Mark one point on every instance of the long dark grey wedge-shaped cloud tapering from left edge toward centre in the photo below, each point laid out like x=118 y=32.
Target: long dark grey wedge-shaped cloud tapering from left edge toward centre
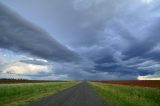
x=19 y=35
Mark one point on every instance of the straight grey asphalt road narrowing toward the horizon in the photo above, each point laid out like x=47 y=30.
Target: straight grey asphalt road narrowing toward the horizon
x=79 y=95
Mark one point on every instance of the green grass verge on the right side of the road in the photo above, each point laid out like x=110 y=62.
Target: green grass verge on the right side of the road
x=120 y=95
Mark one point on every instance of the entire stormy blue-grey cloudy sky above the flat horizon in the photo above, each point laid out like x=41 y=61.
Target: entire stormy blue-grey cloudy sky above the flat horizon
x=80 y=39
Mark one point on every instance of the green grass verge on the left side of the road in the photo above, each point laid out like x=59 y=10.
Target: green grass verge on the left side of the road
x=21 y=94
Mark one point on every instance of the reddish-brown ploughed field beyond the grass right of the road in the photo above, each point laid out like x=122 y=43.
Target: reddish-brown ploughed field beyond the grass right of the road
x=141 y=83
